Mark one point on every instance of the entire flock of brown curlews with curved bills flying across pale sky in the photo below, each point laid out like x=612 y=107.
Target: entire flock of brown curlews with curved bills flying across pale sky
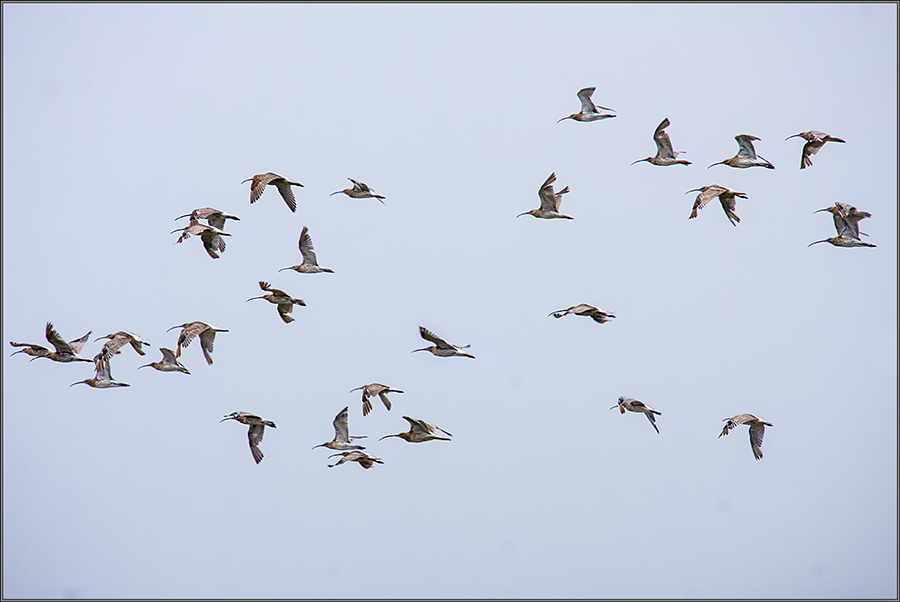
x=846 y=222
